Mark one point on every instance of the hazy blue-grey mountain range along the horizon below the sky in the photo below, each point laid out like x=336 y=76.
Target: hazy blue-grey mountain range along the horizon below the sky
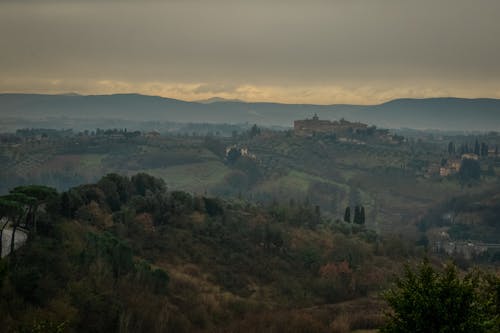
x=431 y=113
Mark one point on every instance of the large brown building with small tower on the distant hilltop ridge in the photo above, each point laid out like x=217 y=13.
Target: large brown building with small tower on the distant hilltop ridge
x=312 y=126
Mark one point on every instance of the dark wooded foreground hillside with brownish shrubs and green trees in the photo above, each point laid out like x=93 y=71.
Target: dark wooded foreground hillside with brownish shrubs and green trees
x=126 y=255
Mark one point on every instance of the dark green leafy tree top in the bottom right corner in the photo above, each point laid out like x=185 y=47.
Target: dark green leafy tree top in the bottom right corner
x=426 y=300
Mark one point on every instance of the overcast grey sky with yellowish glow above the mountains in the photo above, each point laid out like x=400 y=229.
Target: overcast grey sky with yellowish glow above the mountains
x=289 y=51
